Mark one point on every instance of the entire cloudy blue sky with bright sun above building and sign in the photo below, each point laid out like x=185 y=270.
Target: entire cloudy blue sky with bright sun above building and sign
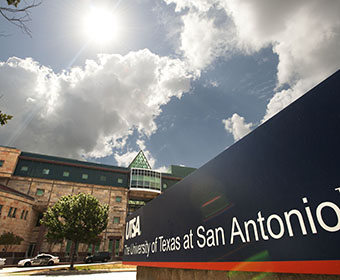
x=180 y=79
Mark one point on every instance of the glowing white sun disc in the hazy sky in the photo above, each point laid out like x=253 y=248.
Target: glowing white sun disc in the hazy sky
x=100 y=25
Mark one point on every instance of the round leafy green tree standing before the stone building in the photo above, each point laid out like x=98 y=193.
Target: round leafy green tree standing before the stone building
x=79 y=218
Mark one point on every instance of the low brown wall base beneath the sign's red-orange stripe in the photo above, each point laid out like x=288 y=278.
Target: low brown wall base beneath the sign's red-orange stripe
x=153 y=273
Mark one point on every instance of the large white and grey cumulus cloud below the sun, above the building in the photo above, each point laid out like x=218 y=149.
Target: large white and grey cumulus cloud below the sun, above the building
x=87 y=111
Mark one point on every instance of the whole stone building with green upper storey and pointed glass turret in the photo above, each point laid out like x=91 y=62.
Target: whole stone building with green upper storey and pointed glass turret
x=30 y=183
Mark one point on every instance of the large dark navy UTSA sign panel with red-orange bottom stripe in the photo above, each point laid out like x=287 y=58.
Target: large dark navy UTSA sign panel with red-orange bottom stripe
x=270 y=202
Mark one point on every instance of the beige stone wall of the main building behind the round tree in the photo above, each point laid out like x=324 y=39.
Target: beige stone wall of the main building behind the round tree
x=53 y=190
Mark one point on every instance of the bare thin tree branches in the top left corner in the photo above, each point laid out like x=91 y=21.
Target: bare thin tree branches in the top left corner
x=18 y=15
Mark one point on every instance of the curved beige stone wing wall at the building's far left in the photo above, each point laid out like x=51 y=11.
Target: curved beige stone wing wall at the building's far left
x=17 y=225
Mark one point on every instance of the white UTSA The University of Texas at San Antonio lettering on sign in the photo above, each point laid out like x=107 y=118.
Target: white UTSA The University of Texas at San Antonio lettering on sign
x=264 y=226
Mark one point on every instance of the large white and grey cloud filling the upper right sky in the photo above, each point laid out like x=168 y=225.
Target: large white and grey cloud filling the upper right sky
x=304 y=34
